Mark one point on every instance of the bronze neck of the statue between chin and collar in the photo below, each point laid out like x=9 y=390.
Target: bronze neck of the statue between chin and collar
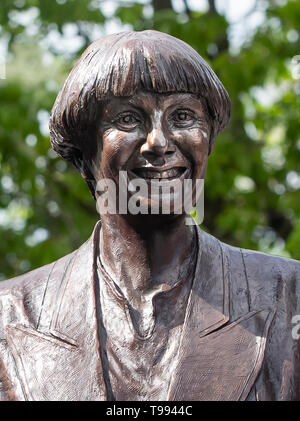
x=141 y=253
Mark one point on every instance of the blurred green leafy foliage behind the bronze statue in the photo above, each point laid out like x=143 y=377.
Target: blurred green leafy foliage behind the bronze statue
x=253 y=180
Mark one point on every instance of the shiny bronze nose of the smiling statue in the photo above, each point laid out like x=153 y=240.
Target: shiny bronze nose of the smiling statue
x=156 y=147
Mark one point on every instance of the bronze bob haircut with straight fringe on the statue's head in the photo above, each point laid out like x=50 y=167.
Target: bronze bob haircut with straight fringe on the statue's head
x=121 y=65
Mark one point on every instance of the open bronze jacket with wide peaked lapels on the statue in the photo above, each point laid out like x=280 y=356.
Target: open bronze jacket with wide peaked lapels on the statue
x=236 y=343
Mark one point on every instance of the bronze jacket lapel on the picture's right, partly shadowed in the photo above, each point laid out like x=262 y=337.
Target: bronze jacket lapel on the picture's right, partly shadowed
x=217 y=360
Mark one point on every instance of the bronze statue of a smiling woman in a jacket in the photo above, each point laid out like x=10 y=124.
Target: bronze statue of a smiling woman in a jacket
x=149 y=308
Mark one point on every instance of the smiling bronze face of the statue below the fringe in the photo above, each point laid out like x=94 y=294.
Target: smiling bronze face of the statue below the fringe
x=154 y=137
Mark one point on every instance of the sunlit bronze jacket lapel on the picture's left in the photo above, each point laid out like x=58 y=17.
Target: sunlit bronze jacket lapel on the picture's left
x=60 y=359
